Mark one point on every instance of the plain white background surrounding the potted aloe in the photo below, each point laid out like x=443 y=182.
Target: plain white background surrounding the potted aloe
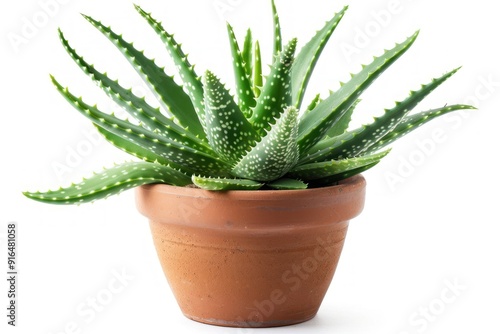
x=435 y=222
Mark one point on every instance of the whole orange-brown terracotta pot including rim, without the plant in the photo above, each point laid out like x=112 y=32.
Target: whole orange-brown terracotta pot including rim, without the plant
x=250 y=258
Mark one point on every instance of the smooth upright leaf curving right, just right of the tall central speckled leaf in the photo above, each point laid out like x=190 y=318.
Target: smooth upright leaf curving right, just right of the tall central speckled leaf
x=308 y=57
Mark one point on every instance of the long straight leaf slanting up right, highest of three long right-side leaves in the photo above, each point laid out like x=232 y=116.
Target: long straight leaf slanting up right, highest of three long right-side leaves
x=314 y=126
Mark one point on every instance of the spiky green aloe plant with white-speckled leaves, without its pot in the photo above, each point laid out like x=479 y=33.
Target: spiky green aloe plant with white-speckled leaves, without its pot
x=262 y=138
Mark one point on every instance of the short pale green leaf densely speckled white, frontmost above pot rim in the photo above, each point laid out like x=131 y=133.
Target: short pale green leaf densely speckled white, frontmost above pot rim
x=275 y=154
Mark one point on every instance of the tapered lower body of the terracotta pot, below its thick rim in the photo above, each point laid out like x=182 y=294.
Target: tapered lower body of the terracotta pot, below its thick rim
x=242 y=279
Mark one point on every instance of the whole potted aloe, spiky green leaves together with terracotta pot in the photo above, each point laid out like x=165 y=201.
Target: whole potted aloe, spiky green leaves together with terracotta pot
x=248 y=197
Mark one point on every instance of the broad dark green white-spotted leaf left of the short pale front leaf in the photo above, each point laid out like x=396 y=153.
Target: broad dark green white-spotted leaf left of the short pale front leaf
x=229 y=132
